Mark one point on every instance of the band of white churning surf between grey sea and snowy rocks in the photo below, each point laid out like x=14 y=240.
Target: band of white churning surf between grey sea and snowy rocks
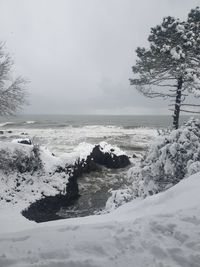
x=63 y=140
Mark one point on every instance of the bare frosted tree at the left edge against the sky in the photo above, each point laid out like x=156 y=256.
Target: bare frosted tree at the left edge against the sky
x=12 y=92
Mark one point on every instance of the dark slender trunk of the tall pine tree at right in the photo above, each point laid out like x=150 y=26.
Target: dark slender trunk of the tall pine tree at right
x=177 y=103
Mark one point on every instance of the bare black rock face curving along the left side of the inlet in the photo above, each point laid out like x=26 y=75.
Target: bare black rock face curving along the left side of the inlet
x=46 y=208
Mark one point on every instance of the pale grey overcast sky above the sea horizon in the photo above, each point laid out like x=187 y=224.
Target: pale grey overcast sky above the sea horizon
x=78 y=53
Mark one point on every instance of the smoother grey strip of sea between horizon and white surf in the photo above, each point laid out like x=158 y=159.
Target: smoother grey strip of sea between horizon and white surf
x=59 y=121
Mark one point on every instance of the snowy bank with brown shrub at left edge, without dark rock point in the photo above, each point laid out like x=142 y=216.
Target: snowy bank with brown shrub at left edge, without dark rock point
x=28 y=172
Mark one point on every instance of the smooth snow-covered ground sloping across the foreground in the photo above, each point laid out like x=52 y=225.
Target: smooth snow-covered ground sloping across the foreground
x=162 y=230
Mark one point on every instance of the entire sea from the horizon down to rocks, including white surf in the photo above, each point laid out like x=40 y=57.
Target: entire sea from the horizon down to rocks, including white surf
x=62 y=133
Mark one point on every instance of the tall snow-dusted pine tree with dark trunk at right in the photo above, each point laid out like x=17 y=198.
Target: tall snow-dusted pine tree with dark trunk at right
x=170 y=67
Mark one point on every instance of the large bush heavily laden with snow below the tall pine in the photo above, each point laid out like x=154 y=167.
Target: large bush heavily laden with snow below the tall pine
x=169 y=159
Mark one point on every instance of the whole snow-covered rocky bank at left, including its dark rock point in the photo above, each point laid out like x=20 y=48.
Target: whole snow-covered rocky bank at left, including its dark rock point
x=29 y=172
